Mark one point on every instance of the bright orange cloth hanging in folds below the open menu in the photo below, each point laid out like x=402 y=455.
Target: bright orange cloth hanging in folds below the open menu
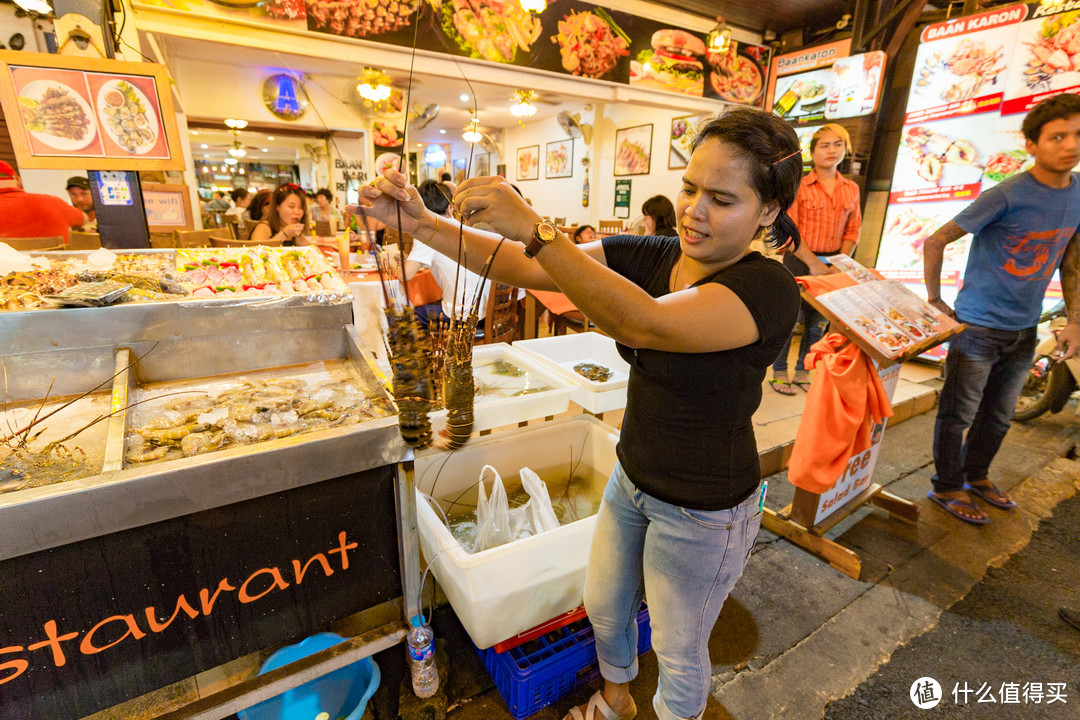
x=846 y=400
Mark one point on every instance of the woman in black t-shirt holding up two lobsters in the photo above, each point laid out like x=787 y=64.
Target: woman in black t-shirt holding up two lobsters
x=699 y=318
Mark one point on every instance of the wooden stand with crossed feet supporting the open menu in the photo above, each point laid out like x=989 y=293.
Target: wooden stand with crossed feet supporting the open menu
x=811 y=515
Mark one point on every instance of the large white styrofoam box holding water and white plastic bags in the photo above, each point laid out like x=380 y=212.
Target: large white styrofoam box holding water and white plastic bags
x=505 y=591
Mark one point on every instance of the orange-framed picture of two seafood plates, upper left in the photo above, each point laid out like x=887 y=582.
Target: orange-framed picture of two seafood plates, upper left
x=89 y=114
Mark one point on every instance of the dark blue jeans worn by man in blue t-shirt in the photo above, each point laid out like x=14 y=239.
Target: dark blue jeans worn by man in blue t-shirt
x=984 y=374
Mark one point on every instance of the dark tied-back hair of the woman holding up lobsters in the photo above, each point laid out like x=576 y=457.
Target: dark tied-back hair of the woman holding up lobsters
x=774 y=156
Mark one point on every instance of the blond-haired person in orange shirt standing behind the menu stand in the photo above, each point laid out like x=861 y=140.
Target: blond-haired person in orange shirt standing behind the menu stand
x=827 y=212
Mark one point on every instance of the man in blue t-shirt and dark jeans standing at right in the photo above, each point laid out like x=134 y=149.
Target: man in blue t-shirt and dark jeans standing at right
x=1024 y=230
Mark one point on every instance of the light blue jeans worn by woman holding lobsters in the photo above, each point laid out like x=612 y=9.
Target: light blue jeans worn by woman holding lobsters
x=686 y=562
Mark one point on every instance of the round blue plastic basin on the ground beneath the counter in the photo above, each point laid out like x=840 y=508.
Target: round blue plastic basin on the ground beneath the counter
x=342 y=695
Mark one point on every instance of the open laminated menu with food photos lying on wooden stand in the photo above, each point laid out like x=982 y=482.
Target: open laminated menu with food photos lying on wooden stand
x=883 y=313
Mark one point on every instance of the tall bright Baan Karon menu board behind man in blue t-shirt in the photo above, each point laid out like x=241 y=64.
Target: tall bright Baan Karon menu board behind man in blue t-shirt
x=976 y=78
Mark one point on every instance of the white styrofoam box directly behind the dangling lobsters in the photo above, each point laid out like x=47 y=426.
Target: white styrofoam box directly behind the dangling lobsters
x=497 y=412
